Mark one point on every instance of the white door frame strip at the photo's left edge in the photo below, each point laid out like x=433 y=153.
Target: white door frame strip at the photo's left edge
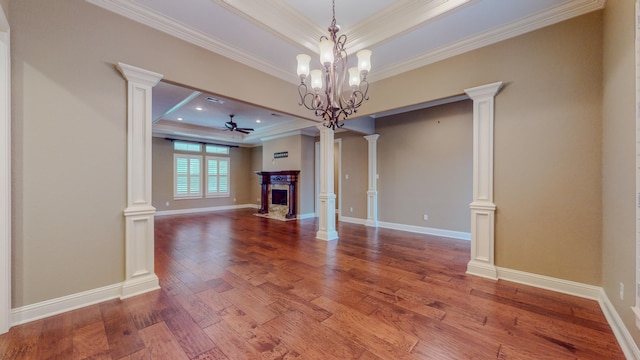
x=5 y=174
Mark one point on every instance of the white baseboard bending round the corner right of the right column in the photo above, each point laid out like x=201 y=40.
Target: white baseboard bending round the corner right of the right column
x=622 y=334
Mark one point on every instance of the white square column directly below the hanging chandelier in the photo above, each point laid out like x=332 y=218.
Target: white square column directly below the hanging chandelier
x=326 y=197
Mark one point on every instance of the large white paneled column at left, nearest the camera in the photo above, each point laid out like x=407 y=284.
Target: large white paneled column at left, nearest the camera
x=139 y=269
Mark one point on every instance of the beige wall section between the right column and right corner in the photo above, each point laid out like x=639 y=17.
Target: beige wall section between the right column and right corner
x=548 y=152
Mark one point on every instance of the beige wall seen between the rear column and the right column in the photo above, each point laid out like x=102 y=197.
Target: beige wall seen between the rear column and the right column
x=435 y=146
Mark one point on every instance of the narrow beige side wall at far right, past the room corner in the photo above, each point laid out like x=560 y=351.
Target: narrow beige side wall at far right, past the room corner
x=619 y=146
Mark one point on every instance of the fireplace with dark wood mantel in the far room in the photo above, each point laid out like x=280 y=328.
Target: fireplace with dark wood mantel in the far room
x=278 y=196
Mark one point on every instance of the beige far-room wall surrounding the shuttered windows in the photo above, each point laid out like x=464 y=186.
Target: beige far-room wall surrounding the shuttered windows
x=241 y=179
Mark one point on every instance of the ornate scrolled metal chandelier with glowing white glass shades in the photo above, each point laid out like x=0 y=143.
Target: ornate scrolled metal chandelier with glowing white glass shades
x=329 y=98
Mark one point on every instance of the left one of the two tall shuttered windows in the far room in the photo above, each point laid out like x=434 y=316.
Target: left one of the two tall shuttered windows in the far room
x=187 y=176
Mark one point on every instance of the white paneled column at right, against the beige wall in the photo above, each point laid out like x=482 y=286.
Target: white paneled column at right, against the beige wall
x=482 y=208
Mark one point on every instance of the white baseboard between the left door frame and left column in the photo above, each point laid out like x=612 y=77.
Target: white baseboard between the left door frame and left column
x=25 y=314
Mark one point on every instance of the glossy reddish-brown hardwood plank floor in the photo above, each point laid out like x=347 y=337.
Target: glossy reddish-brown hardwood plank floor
x=237 y=286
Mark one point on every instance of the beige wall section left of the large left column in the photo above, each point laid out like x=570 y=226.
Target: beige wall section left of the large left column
x=68 y=155
